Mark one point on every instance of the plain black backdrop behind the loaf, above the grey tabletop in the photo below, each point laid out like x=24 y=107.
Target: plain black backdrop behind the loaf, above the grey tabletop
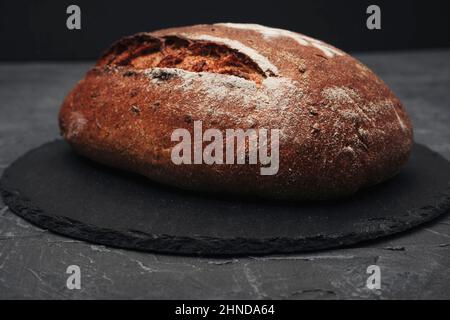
x=36 y=30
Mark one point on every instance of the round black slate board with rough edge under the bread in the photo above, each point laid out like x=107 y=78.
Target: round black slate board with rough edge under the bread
x=57 y=190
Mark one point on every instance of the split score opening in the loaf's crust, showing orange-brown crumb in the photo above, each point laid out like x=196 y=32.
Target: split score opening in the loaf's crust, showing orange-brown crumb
x=195 y=53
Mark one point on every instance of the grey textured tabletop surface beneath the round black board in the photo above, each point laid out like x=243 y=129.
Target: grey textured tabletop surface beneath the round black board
x=33 y=262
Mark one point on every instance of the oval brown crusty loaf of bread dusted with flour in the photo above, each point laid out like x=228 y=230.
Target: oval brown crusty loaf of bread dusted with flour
x=340 y=128
